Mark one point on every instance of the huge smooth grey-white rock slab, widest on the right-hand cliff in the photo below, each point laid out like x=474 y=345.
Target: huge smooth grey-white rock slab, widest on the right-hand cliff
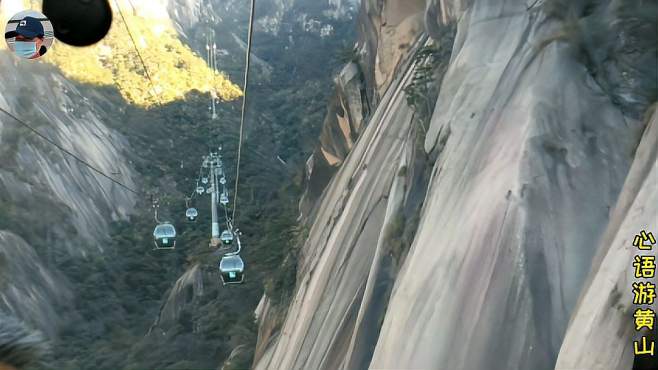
x=512 y=217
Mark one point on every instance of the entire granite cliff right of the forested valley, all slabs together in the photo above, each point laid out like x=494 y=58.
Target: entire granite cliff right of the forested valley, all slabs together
x=528 y=153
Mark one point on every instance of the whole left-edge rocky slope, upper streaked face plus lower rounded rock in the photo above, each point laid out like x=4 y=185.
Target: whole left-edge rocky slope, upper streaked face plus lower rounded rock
x=51 y=206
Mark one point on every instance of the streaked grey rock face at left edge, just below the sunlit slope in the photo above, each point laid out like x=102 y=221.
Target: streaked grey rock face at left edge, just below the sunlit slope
x=32 y=167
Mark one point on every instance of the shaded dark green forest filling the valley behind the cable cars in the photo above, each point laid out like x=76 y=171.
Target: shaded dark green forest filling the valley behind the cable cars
x=119 y=293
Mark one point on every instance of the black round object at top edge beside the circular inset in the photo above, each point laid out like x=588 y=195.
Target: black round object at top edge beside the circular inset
x=79 y=22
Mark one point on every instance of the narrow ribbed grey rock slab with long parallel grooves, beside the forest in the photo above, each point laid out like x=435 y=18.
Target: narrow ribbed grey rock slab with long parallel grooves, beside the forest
x=345 y=244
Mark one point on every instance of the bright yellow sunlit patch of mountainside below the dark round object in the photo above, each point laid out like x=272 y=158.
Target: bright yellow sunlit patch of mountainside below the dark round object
x=172 y=66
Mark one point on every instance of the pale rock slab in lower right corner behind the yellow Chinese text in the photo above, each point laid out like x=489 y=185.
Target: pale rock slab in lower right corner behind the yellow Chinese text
x=601 y=332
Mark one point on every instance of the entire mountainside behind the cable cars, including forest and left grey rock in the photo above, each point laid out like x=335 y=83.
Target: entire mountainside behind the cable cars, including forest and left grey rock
x=105 y=298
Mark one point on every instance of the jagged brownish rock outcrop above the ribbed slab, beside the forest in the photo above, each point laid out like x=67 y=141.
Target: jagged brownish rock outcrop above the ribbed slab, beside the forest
x=387 y=33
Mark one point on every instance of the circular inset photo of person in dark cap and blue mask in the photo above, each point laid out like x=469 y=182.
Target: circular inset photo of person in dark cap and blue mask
x=29 y=34
